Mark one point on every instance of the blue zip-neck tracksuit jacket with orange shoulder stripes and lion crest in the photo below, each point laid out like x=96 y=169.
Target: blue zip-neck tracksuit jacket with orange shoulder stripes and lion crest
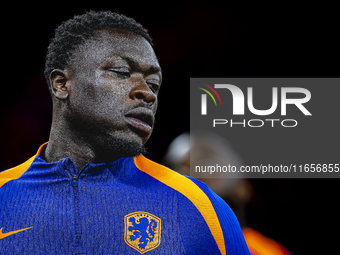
x=129 y=206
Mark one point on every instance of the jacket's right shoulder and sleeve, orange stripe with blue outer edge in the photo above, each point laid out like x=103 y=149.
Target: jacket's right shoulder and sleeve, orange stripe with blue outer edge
x=218 y=216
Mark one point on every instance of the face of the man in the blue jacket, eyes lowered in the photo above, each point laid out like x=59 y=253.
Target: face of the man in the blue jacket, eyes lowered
x=113 y=87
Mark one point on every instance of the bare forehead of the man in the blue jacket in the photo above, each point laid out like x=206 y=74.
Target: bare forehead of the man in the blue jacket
x=109 y=44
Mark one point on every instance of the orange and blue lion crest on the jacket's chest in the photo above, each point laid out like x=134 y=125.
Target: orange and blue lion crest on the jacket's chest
x=142 y=231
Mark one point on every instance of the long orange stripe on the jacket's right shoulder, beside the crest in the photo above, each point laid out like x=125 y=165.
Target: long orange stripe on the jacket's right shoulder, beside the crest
x=190 y=190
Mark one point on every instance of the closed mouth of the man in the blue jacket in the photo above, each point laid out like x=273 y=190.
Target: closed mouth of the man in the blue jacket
x=140 y=120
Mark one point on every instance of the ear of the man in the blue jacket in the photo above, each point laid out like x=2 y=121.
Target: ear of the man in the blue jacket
x=58 y=81
